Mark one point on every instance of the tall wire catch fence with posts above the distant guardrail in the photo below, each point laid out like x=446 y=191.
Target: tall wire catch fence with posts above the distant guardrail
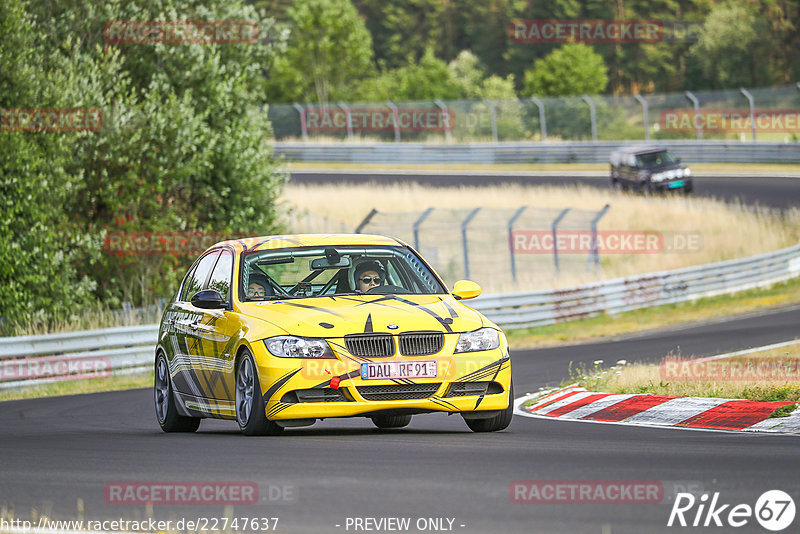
x=757 y=114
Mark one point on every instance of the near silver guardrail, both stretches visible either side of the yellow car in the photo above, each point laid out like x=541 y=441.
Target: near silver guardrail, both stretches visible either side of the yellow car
x=31 y=360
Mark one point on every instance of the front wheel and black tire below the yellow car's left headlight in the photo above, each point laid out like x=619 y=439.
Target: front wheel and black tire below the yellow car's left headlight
x=250 y=410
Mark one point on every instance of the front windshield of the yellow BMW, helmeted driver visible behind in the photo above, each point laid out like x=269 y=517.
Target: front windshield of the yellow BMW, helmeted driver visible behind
x=335 y=270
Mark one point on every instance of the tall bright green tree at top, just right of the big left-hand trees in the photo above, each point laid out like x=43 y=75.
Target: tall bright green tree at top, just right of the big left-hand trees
x=329 y=52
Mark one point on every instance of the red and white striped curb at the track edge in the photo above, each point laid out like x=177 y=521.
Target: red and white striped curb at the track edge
x=575 y=403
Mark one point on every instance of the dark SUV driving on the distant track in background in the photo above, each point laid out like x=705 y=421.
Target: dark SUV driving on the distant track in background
x=649 y=169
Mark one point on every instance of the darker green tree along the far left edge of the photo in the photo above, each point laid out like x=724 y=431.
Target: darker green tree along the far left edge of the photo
x=40 y=247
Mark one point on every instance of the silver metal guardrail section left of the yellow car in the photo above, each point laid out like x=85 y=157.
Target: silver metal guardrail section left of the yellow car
x=34 y=360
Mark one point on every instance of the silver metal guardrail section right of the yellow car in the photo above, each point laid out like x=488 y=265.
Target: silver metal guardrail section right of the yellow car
x=539 y=308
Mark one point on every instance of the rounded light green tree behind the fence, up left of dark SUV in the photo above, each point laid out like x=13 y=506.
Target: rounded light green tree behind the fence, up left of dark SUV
x=573 y=69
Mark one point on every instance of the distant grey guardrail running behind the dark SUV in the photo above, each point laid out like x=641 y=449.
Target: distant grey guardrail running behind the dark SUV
x=531 y=152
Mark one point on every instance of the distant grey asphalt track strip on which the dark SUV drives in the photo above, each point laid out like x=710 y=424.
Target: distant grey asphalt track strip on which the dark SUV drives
x=775 y=192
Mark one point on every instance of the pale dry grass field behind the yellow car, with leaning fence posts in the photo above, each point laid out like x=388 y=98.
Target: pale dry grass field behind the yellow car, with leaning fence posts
x=720 y=231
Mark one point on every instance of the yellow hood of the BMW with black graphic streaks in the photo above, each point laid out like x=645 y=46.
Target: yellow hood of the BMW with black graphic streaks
x=341 y=315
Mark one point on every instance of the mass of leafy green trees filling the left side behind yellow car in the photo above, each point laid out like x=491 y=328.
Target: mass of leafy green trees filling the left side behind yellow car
x=183 y=146
